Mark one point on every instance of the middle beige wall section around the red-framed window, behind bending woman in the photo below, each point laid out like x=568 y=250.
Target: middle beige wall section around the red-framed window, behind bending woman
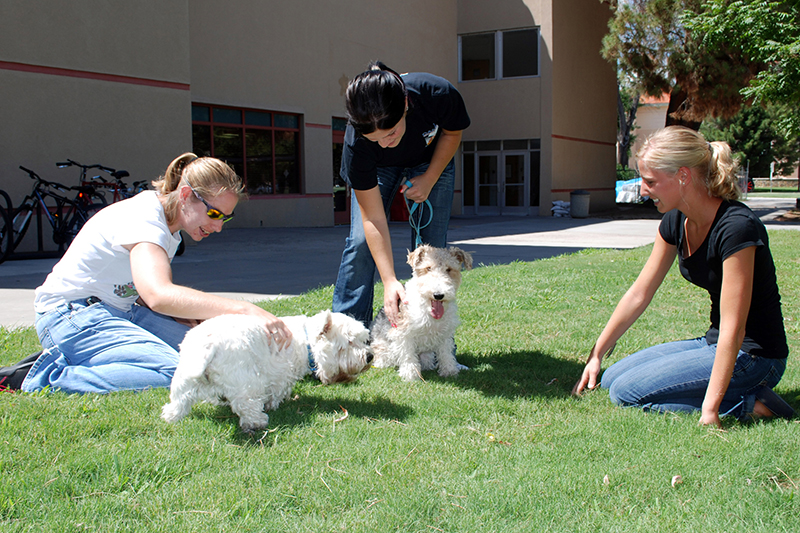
x=298 y=57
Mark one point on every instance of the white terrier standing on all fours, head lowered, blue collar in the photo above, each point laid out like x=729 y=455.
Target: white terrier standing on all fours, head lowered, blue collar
x=231 y=358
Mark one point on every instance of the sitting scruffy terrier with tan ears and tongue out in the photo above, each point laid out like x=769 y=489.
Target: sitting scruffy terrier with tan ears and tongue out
x=424 y=336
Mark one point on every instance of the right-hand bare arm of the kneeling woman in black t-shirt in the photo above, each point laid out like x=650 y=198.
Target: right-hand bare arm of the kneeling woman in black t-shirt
x=734 y=305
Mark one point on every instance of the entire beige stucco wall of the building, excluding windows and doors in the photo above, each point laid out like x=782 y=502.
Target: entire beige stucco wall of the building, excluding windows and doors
x=282 y=56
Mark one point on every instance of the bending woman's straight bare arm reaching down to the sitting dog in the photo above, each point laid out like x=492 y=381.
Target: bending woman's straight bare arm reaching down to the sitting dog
x=376 y=231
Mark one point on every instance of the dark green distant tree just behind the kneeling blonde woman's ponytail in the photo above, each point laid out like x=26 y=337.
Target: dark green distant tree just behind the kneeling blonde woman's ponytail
x=755 y=133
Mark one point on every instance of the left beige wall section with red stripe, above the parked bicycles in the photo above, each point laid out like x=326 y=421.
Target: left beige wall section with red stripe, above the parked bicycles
x=52 y=111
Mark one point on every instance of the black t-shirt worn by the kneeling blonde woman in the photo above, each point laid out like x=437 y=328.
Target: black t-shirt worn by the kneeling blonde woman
x=734 y=228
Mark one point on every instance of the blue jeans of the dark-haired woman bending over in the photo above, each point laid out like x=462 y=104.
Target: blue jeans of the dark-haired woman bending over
x=353 y=294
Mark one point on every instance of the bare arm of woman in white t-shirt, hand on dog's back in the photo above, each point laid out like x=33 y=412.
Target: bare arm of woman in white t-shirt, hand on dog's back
x=152 y=276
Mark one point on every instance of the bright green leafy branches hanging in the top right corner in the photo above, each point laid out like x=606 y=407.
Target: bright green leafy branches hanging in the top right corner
x=763 y=32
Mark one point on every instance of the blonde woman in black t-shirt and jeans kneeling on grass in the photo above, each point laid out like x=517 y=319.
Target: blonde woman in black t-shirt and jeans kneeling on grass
x=722 y=247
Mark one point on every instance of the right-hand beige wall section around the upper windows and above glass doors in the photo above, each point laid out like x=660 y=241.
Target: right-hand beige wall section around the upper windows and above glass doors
x=570 y=106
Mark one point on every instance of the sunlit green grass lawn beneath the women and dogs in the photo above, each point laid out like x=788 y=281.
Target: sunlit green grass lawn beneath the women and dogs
x=503 y=447
